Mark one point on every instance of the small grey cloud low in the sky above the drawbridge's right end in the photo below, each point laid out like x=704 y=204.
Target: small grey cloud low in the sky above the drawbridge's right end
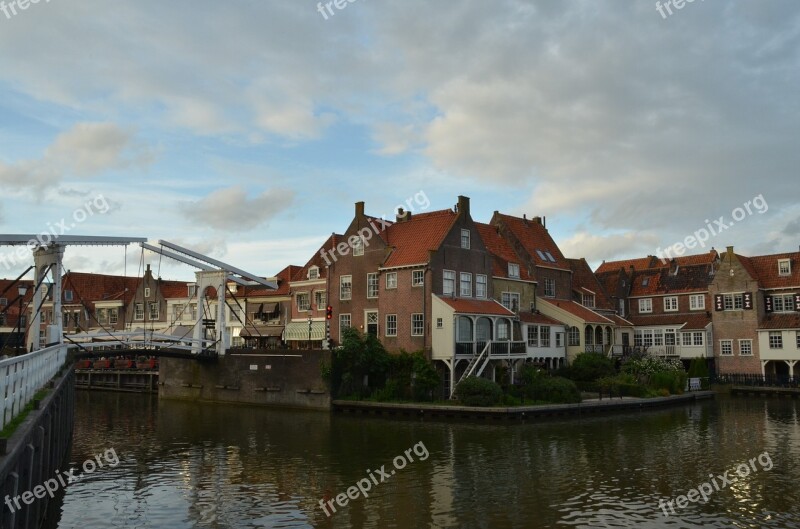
x=232 y=210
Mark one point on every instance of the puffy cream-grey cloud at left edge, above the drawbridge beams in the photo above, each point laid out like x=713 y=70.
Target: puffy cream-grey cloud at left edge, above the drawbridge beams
x=85 y=150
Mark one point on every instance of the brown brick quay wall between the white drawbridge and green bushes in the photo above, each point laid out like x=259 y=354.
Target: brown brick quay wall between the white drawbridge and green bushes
x=290 y=378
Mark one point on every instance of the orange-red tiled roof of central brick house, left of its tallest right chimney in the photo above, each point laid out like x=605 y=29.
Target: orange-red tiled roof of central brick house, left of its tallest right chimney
x=412 y=240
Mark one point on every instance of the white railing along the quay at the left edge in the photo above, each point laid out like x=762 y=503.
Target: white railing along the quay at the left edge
x=22 y=376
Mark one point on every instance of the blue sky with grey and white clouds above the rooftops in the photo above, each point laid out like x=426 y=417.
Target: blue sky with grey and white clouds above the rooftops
x=247 y=130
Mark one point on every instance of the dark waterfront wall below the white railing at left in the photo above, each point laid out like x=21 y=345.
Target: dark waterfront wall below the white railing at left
x=35 y=451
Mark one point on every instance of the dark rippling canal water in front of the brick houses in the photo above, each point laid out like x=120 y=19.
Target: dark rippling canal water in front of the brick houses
x=183 y=465
